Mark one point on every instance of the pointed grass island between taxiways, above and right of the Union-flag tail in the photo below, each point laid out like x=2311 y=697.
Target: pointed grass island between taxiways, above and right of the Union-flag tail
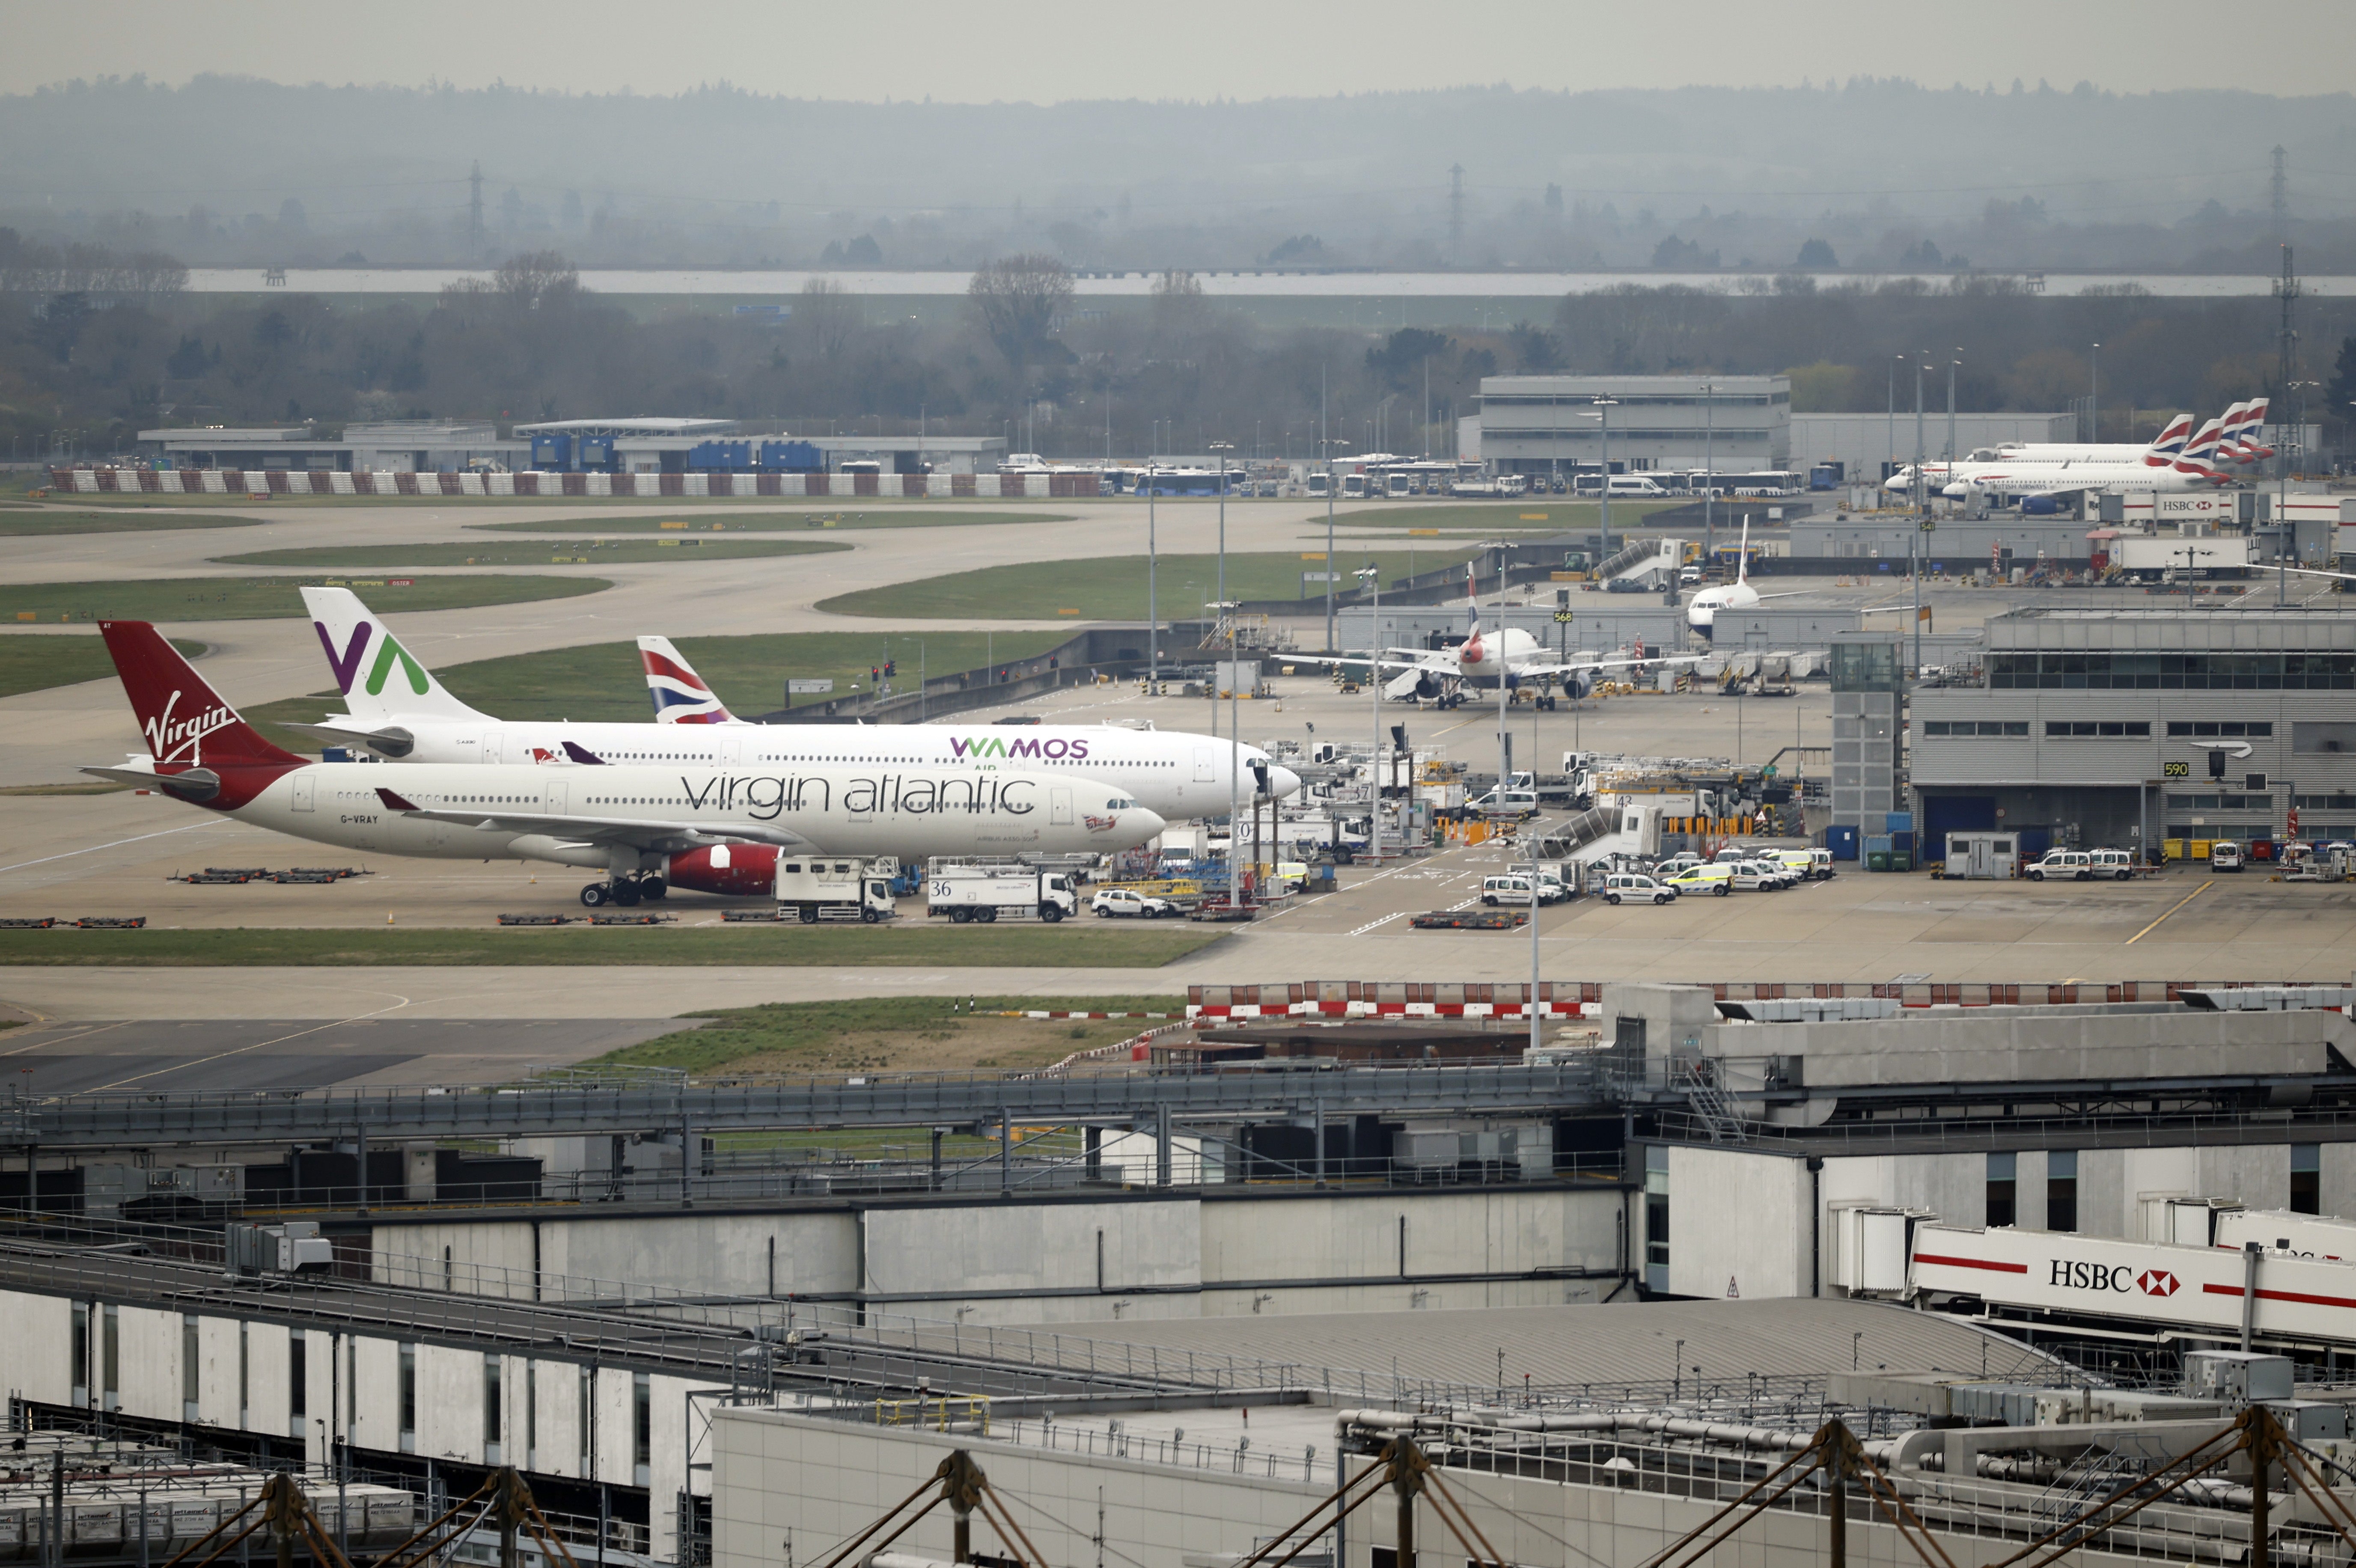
x=1113 y=587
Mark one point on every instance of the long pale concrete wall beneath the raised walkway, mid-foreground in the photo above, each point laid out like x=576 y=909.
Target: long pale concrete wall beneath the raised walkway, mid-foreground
x=1038 y=1261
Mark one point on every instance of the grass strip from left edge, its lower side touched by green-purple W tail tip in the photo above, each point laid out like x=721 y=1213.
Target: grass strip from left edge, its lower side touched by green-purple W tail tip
x=263 y=599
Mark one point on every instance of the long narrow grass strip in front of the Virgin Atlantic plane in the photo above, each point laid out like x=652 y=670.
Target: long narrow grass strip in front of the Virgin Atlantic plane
x=1097 y=945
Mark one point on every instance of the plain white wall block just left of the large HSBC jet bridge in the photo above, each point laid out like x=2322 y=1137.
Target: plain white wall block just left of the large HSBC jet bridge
x=1738 y=1223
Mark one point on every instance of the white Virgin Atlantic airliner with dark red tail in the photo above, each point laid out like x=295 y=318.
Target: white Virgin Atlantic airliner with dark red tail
x=633 y=820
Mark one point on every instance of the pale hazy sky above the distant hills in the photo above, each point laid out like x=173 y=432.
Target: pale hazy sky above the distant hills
x=1052 y=51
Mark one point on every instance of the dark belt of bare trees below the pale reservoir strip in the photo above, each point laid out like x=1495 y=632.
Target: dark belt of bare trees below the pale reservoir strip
x=1170 y=373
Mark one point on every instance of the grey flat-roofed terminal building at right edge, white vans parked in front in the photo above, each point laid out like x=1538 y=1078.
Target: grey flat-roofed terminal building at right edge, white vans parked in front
x=2124 y=726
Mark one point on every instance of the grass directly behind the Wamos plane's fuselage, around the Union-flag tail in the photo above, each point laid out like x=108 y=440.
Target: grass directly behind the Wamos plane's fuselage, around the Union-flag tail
x=607 y=684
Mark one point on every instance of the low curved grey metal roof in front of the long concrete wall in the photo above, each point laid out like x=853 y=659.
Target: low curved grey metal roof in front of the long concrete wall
x=1599 y=1346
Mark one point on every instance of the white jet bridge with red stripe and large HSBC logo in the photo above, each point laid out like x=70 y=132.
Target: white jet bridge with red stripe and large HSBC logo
x=2145 y=1282
